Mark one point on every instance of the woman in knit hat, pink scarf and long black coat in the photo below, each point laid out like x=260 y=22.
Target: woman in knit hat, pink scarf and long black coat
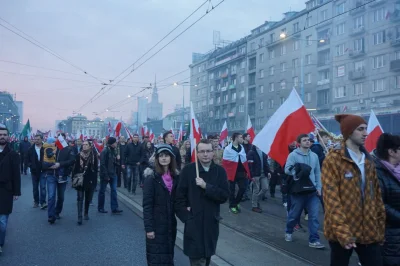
x=158 y=211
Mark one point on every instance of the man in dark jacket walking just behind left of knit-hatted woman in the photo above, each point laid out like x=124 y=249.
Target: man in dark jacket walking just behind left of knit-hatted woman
x=133 y=158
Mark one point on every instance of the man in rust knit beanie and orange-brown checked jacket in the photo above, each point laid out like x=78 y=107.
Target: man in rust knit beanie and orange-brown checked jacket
x=354 y=210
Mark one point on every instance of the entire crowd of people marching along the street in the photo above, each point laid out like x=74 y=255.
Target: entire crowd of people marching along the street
x=358 y=191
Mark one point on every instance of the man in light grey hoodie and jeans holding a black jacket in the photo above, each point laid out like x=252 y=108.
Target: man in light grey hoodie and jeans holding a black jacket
x=303 y=165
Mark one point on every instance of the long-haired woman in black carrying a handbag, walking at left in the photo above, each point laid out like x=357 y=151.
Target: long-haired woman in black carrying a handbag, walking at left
x=87 y=163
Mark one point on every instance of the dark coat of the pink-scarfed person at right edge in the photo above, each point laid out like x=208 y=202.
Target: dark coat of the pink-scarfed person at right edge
x=390 y=189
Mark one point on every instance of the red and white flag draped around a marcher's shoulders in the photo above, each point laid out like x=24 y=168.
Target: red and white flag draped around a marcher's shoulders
x=230 y=161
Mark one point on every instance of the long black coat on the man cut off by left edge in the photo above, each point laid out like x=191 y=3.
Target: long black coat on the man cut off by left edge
x=10 y=179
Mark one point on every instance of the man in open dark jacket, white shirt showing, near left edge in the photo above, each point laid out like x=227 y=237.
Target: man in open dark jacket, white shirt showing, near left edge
x=35 y=159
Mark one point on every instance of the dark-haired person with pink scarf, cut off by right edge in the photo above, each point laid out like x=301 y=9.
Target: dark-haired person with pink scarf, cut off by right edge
x=387 y=161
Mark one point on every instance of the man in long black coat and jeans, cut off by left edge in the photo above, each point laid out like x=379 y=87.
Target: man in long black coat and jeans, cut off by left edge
x=10 y=182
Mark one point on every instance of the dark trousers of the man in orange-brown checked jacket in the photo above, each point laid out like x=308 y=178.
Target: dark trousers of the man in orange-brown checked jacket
x=369 y=255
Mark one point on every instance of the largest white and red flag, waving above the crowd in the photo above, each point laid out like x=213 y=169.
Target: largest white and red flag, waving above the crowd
x=289 y=121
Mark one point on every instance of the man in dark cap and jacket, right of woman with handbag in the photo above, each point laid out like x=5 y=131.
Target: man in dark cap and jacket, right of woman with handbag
x=108 y=175
